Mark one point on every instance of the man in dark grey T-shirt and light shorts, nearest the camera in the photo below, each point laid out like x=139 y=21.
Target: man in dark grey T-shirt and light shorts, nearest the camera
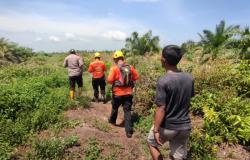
x=171 y=122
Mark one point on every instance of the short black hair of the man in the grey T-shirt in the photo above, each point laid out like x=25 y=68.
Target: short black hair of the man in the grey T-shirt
x=172 y=54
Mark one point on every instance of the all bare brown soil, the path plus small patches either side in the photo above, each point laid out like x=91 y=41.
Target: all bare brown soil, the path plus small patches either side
x=112 y=139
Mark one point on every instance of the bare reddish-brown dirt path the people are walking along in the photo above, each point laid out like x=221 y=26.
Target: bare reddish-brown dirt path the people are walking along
x=94 y=126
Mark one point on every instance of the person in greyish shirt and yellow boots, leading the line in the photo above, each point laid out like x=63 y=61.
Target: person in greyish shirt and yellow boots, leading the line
x=74 y=64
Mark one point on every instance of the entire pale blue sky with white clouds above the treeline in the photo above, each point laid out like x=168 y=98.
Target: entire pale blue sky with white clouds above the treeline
x=58 y=25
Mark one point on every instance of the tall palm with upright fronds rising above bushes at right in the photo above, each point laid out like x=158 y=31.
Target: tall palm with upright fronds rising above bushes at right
x=213 y=42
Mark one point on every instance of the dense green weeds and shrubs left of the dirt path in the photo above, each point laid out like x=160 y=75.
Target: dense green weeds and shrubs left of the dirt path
x=32 y=97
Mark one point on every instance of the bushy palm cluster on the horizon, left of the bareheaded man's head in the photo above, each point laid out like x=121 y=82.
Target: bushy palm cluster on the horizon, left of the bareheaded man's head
x=137 y=45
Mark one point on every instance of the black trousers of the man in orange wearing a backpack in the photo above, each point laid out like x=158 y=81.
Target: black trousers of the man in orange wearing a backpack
x=126 y=102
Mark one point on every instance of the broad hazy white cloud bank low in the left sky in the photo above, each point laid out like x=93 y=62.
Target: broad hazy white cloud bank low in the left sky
x=87 y=32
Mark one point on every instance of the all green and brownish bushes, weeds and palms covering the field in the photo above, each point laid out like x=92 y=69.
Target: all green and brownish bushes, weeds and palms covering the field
x=34 y=93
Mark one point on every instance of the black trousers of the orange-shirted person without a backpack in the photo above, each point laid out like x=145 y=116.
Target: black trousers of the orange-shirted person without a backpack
x=96 y=82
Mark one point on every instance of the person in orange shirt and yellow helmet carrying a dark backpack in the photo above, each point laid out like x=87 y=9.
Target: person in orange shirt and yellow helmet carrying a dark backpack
x=122 y=76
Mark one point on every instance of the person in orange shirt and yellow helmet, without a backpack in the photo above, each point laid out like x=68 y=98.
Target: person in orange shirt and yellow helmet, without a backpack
x=98 y=68
